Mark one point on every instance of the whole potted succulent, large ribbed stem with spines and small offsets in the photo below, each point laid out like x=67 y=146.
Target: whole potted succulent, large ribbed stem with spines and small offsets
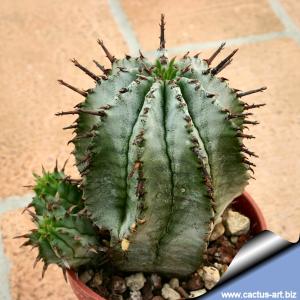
x=160 y=150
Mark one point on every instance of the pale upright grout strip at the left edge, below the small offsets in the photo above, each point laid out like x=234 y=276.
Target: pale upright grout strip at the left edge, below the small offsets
x=4 y=274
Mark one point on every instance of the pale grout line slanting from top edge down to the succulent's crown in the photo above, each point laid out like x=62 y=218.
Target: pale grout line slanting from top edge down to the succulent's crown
x=124 y=26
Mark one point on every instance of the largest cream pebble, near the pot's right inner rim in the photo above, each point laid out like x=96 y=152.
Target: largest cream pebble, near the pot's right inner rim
x=236 y=224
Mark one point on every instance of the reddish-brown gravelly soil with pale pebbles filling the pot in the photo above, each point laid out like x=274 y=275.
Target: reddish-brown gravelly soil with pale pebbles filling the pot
x=229 y=235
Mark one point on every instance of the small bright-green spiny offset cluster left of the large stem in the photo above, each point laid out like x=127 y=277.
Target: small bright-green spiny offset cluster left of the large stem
x=64 y=235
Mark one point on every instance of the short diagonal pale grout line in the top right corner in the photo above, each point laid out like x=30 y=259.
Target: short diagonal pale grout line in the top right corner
x=291 y=29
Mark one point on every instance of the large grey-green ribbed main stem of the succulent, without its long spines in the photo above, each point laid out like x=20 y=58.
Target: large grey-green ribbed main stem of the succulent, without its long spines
x=162 y=160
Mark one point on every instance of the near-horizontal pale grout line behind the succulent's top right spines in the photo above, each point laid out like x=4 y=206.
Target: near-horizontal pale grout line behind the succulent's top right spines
x=250 y=39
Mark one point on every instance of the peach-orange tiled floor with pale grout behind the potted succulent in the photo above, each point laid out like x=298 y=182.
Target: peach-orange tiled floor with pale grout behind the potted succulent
x=39 y=37
